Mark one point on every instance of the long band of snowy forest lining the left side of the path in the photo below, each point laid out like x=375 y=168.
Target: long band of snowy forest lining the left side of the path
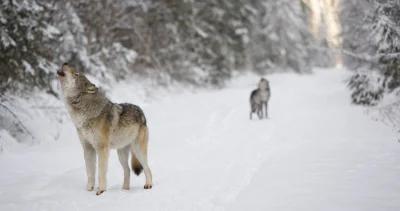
x=199 y=42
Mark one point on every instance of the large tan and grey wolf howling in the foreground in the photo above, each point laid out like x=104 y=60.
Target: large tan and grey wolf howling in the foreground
x=103 y=125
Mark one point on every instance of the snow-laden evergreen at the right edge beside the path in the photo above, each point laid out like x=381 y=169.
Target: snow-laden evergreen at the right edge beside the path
x=378 y=53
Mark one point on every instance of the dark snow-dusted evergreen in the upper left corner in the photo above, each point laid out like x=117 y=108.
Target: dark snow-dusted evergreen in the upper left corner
x=26 y=41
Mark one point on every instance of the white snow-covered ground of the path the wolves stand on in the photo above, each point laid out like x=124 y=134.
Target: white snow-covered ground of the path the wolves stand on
x=315 y=152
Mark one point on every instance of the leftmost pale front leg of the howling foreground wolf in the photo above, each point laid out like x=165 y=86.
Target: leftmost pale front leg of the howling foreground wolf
x=90 y=161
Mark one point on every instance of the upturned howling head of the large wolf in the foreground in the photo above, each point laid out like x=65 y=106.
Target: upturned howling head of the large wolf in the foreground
x=73 y=82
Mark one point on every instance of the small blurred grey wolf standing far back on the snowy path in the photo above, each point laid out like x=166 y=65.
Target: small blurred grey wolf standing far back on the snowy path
x=259 y=99
